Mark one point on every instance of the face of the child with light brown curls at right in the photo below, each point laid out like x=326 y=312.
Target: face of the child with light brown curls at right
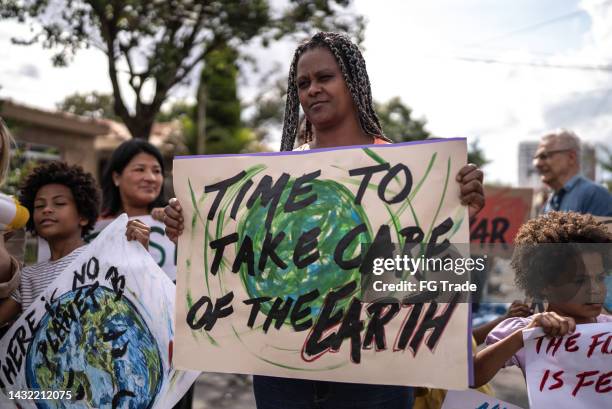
x=581 y=295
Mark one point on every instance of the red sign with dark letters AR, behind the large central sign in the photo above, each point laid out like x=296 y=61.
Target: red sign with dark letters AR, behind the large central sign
x=496 y=225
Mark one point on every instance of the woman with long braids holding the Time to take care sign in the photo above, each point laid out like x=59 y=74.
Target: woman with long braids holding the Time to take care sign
x=329 y=80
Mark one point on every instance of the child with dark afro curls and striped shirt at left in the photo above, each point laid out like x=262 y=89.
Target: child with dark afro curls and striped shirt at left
x=64 y=203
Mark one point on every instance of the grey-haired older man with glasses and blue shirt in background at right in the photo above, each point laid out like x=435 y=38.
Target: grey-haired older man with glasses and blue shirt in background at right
x=558 y=162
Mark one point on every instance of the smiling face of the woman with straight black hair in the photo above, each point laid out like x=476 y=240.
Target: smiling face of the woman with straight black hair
x=140 y=182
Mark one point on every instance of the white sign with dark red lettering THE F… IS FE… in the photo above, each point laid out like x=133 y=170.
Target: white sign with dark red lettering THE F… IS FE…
x=570 y=372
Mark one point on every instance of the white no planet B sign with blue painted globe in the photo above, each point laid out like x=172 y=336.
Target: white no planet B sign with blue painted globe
x=101 y=335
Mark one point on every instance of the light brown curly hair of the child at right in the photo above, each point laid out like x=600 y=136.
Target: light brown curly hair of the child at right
x=537 y=264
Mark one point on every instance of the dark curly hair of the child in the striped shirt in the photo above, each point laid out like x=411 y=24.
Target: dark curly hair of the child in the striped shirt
x=82 y=185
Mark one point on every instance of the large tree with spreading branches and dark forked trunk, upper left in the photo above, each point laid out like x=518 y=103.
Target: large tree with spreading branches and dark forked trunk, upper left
x=158 y=43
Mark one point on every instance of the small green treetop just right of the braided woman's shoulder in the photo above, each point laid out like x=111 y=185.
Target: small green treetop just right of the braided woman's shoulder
x=397 y=122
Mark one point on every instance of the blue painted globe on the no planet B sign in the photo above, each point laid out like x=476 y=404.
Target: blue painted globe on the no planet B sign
x=107 y=357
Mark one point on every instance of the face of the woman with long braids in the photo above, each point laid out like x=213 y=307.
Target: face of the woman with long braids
x=323 y=94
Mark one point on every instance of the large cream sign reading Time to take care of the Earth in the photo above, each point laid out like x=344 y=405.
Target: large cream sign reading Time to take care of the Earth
x=269 y=263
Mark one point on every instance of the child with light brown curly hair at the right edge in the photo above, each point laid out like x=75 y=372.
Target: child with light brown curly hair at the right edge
x=570 y=276
